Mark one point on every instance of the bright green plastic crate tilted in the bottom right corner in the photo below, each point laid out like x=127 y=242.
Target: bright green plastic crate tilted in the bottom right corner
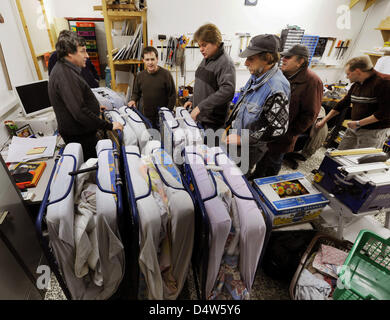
x=366 y=271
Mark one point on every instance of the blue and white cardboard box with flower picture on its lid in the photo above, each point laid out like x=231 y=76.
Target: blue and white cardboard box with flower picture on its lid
x=291 y=198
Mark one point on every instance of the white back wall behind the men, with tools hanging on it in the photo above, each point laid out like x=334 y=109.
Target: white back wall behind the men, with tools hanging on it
x=269 y=16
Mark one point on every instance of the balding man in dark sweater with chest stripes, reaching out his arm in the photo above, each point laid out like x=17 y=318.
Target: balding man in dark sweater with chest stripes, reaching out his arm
x=370 y=100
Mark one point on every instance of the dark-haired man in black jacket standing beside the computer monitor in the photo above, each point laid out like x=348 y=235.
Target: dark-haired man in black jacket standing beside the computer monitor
x=76 y=108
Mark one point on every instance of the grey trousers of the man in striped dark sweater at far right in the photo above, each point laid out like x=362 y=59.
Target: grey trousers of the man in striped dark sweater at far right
x=363 y=138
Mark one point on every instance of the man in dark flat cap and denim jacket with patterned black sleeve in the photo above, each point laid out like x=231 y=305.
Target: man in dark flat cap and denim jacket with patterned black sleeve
x=262 y=107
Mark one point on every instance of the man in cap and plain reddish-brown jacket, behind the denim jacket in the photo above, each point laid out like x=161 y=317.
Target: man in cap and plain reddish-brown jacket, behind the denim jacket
x=305 y=104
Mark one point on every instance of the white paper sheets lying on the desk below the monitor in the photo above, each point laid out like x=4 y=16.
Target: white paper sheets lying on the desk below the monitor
x=20 y=148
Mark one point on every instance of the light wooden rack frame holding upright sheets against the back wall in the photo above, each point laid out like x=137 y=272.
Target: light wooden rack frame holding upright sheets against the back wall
x=121 y=12
